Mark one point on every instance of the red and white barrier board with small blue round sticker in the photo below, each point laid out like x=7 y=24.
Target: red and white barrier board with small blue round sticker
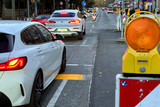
x=137 y=91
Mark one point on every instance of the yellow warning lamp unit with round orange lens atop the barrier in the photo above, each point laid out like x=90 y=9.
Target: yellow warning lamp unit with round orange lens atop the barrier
x=142 y=35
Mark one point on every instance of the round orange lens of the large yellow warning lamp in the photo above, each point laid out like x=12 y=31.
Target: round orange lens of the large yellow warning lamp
x=143 y=34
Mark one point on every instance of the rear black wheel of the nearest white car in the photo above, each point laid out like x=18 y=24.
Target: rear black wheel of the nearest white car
x=37 y=88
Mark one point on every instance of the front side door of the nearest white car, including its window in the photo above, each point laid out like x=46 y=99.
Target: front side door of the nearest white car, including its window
x=54 y=51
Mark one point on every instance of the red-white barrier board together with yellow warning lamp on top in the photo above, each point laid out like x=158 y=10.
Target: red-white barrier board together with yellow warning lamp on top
x=139 y=83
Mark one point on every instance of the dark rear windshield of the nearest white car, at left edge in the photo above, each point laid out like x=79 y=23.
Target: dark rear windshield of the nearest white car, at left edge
x=6 y=42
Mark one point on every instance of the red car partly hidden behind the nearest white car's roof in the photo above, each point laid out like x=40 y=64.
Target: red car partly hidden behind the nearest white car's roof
x=41 y=19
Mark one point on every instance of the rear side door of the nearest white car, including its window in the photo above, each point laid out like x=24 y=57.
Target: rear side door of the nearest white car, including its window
x=37 y=48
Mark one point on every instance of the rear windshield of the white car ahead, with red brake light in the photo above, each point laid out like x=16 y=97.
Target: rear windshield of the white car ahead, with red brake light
x=63 y=14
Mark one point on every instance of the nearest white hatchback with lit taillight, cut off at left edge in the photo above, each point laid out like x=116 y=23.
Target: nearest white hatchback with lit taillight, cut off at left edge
x=30 y=58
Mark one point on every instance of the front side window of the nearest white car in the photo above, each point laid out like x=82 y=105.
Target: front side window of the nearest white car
x=45 y=33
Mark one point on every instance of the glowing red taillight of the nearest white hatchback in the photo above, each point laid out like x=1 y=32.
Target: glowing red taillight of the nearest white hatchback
x=14 y=64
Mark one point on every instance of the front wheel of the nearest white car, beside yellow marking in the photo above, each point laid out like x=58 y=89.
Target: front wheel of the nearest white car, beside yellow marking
x=63 y=63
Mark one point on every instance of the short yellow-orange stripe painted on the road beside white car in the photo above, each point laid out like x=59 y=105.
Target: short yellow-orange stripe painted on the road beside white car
x=69 y=76
